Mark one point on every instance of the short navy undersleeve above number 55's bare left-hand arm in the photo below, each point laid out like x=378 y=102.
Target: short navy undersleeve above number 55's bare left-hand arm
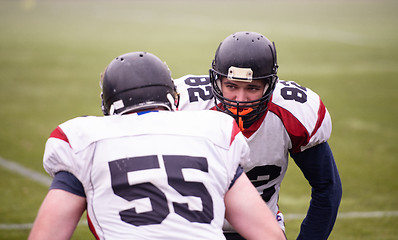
x=68 y=182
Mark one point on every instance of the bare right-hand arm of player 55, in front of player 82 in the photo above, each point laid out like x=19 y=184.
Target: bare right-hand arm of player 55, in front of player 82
x=248 y=213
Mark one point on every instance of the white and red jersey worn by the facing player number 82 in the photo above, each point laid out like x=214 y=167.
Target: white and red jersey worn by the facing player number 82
x=296 y=120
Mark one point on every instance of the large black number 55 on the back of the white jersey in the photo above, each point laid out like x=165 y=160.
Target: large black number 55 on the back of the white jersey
x=120 y=168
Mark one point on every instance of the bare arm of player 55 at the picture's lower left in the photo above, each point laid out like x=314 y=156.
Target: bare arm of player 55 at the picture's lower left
x=58 y=215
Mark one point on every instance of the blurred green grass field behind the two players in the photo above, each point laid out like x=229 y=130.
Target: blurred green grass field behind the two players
x=52 y=53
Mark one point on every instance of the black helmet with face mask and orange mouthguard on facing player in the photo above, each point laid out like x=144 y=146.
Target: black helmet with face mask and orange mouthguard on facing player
x=244 y=56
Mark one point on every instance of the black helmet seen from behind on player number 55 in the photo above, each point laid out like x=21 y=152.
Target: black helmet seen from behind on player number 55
x=137 y=81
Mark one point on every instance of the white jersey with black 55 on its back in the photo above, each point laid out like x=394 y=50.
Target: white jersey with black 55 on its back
x=158 y=175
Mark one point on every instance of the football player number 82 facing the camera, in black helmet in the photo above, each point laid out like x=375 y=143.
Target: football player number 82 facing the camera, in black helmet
x=277 y=118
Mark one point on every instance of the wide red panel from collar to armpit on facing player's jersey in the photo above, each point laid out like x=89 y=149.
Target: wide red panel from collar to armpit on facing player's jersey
x=297 y=132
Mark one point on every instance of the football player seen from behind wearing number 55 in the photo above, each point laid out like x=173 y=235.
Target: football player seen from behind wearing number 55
x=147 y=172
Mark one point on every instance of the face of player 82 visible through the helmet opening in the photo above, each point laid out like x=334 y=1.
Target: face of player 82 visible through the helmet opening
x=242 y=91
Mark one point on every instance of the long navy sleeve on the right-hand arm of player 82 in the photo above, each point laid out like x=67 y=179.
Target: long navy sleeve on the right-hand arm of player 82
x=319 y=168
